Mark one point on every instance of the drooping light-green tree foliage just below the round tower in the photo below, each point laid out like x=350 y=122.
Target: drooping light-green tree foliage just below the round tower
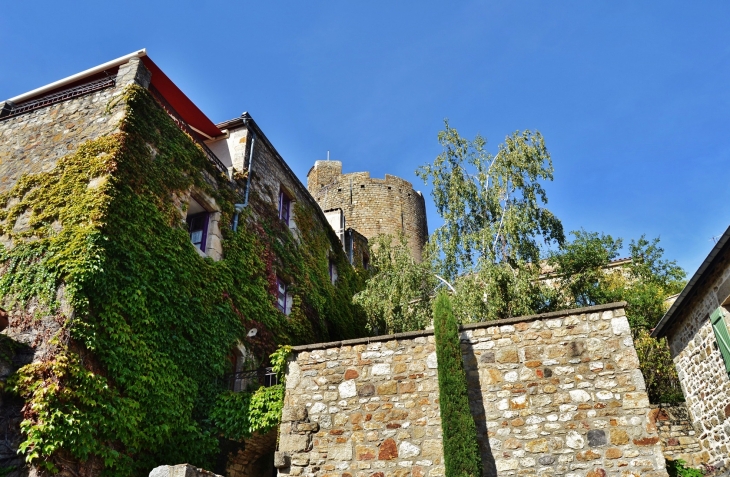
x=398 y=296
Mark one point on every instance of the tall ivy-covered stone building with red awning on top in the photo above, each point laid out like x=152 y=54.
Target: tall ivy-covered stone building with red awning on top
x=114 y=172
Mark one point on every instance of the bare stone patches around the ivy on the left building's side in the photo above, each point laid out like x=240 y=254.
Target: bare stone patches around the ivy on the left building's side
x=32 y=143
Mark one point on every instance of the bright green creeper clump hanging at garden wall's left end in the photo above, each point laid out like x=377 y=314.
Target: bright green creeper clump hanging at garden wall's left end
x=238 y=415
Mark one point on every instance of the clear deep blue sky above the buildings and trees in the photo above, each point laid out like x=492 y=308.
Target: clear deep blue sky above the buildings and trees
x=632 y=97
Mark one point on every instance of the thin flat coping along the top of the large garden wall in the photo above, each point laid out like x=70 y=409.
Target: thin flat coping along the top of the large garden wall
x=469 y=326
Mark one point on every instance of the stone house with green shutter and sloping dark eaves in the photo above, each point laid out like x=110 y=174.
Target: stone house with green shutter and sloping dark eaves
x=696 y=328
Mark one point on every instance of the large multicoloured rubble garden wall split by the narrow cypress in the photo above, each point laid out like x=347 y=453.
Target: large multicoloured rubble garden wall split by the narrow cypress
x=553 y=394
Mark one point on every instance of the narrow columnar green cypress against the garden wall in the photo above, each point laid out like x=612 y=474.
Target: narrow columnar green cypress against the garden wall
x=461 y=448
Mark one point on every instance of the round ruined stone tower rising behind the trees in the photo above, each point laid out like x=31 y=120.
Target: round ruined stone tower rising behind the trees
x=371 y=206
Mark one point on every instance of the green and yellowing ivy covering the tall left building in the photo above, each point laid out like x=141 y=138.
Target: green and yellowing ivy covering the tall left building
x=135 y=366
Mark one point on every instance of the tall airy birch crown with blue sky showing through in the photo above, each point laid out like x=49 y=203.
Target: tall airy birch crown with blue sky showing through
x=490 y=204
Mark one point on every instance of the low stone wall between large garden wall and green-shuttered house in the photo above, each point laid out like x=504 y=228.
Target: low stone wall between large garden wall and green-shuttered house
x=678 y=436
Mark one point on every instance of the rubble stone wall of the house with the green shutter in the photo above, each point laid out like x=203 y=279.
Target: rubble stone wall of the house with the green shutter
x=701 y=369
